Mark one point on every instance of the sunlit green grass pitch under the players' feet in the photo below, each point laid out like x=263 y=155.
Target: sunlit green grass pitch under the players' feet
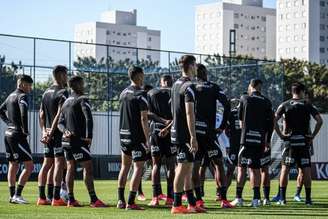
x=106 y=191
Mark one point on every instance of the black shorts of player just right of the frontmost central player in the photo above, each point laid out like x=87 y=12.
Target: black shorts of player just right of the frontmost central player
x=208 y=149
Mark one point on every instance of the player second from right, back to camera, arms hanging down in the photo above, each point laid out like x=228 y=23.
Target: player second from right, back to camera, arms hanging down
x=255 y=136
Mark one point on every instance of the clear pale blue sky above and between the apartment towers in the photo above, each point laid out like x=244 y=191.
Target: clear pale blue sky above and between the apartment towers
x=56 y=18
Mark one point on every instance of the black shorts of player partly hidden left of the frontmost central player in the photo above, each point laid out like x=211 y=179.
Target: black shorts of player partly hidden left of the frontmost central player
x=162 y=146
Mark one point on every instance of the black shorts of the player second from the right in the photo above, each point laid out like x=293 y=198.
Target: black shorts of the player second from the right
x=250 y=156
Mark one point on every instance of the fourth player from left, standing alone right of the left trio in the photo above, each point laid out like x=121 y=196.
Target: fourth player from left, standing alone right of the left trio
x=134 y=136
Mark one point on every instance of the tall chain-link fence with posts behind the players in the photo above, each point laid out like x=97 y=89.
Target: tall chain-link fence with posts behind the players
x=104 y=68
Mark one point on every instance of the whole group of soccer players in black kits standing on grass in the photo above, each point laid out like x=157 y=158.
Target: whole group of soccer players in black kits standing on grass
x=181 y=124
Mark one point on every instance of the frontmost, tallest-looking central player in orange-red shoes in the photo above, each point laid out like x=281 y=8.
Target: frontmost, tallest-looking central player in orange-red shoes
x=183 y=135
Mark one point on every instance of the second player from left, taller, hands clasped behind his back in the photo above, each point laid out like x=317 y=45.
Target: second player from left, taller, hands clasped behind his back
x=51 y=105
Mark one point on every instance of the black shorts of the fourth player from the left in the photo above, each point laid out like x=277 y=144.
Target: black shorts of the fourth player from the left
x=137 y=152
